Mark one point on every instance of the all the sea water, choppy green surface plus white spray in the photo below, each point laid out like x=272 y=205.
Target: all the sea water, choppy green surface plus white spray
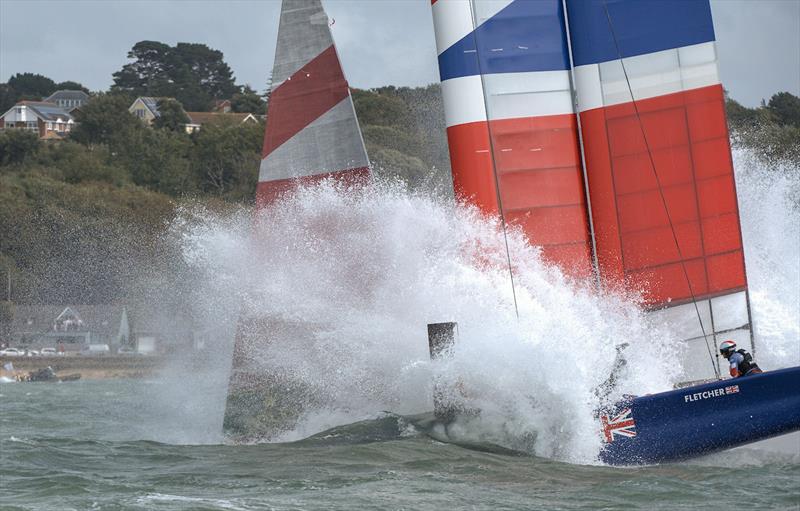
x=366 y=271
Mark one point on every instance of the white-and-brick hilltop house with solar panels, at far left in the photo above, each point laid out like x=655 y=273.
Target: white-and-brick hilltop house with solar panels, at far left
x=47 y=120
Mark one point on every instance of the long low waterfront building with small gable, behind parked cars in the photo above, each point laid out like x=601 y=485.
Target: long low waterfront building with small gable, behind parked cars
x=73 y=327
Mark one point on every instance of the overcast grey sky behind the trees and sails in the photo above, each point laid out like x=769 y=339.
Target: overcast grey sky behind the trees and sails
x=380 y=42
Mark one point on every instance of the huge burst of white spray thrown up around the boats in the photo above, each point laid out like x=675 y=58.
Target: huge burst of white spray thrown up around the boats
x=359 y=274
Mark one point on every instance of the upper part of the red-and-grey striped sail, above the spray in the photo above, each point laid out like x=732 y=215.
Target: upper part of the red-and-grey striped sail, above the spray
x=312 y=131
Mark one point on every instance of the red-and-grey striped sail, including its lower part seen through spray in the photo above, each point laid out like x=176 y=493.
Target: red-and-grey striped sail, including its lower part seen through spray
x=311 y=134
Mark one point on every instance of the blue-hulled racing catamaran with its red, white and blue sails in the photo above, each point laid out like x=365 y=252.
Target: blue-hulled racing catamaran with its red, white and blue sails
x=598 y=127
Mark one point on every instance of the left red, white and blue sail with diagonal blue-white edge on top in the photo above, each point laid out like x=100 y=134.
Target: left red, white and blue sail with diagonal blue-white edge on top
x=511 y=125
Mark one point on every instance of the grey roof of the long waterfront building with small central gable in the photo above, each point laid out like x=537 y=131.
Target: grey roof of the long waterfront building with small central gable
x=101 y=319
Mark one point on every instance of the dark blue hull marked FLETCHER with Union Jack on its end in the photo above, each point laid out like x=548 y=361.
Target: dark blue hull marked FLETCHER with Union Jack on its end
x=698 y=420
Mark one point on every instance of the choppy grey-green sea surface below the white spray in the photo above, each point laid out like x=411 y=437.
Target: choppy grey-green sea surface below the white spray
x=91 y=445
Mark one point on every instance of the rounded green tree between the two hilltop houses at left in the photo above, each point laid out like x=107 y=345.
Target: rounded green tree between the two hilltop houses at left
x=104 y=119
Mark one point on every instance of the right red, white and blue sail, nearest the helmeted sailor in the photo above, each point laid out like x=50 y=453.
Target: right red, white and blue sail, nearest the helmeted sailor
x=658 y=164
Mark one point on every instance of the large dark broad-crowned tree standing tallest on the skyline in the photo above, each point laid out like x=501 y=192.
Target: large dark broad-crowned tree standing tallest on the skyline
x=194 y=74
